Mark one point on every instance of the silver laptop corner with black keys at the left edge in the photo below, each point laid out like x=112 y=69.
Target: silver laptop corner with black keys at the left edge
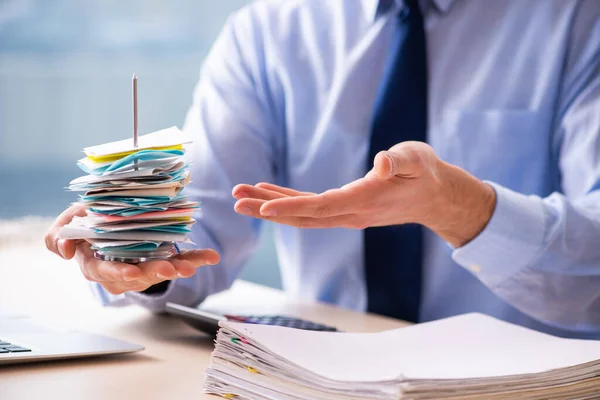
x=23 y=339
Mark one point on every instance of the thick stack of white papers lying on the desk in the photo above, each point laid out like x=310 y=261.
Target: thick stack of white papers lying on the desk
x=472 y=356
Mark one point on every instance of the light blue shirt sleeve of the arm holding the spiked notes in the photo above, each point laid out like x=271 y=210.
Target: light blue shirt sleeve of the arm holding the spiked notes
x=233 y=121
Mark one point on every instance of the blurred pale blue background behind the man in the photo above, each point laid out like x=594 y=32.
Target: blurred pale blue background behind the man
x=65 y=83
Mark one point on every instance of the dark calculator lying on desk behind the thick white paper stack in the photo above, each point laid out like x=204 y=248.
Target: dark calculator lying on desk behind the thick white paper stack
x=208 y=322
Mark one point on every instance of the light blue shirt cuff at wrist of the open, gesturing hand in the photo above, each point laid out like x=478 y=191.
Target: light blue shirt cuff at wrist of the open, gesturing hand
x=511 y=240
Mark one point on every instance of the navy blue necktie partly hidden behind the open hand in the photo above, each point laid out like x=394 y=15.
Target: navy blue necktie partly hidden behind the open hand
x=393 y=254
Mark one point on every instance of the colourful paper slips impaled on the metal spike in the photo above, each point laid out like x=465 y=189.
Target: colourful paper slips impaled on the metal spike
x=133 y=196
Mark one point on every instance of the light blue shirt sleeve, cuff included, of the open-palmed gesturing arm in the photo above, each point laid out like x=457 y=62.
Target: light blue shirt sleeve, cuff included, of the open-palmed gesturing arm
x=542 y=255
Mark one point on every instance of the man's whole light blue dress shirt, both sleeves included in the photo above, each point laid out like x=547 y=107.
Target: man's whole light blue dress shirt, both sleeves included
x=286 y=96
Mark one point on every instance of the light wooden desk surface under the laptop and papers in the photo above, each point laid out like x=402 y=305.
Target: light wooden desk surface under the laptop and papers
x=35 y=282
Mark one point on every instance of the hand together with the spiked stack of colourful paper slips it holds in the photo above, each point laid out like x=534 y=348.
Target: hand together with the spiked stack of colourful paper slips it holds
x=131 y=209
